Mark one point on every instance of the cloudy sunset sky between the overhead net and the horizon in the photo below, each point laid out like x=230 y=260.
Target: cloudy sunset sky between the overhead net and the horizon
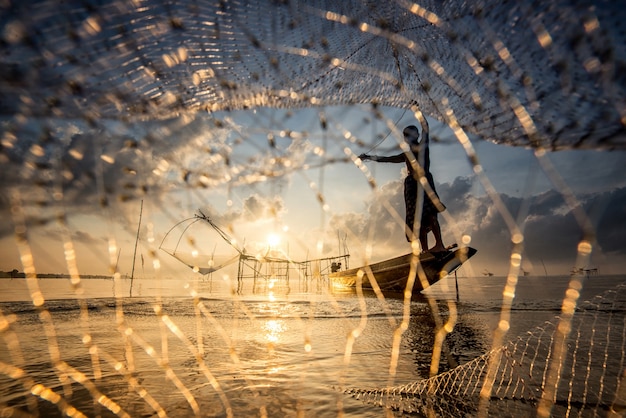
x=249 y=173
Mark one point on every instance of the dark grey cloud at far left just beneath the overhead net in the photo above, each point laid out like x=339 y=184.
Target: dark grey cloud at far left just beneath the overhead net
x=80 y=168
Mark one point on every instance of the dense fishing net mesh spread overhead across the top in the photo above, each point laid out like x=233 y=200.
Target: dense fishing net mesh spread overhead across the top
x=545 y=75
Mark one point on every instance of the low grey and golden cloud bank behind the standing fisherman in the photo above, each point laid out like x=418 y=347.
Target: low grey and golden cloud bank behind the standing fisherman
x=552 y=232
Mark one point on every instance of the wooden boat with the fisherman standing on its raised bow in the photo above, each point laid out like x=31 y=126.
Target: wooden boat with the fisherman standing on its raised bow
x=392 y=275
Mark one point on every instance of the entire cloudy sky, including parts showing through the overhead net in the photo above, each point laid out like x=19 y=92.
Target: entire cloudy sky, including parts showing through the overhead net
x=82 y=185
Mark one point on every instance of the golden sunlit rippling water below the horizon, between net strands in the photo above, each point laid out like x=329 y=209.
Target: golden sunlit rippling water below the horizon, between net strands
x=285 y=354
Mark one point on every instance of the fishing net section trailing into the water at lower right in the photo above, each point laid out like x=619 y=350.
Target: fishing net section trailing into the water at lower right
x=519 y=372
